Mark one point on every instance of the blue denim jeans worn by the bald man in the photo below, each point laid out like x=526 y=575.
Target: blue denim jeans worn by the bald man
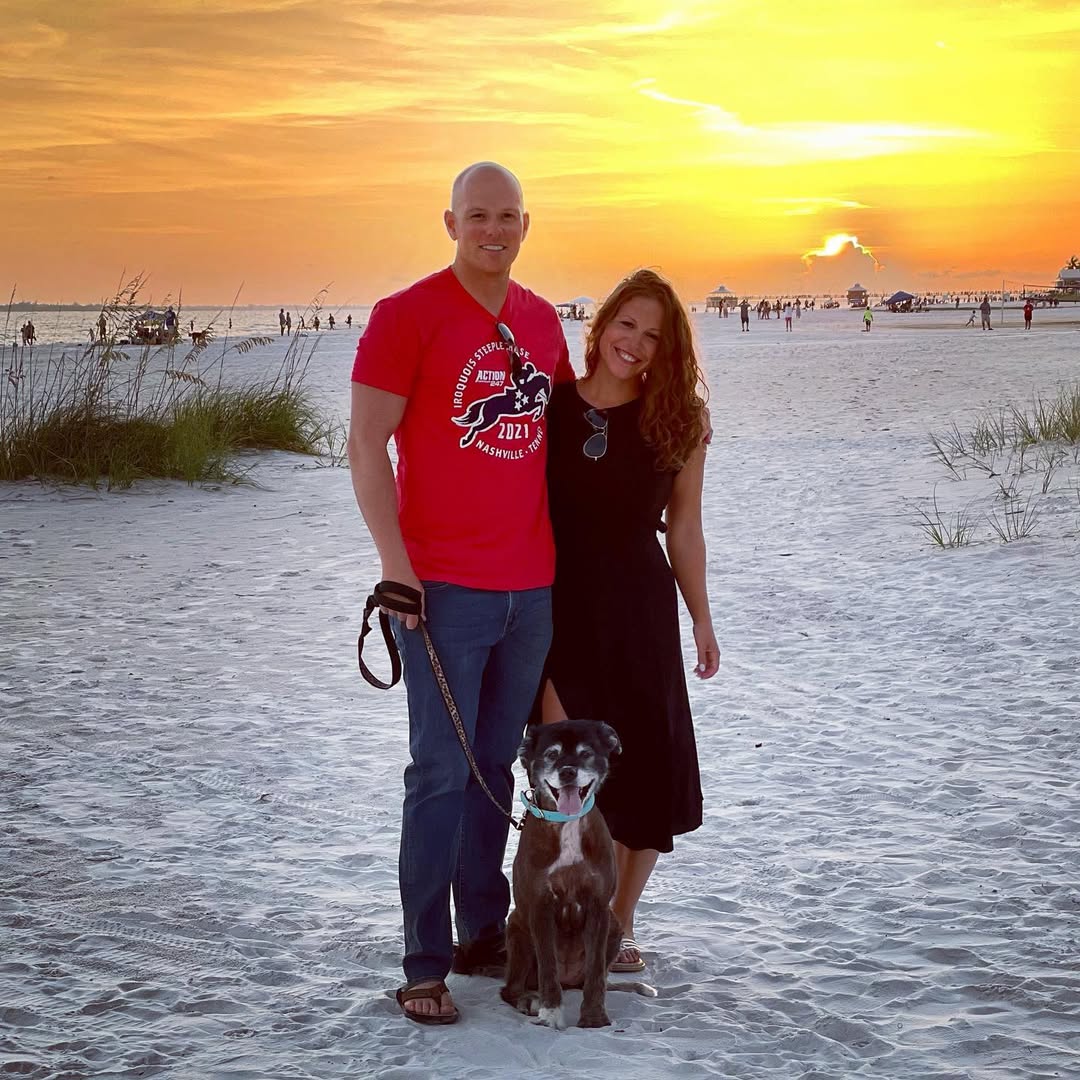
x=493 y=646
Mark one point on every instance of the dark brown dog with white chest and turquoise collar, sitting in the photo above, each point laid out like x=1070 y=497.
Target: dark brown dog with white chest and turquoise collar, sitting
x=562 y=934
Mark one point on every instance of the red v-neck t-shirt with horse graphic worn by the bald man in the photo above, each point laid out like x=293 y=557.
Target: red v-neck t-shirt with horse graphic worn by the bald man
x=472 y=499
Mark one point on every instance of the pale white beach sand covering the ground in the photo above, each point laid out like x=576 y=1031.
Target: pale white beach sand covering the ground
x=200 y=796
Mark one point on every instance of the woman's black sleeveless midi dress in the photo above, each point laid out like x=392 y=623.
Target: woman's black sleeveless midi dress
x=616 y=655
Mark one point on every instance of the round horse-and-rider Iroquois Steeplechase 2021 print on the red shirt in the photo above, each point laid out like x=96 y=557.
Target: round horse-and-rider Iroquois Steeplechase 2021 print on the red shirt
x=506 y=424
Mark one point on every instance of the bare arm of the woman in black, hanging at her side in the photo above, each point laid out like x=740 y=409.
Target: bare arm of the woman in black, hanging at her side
x=686 y=550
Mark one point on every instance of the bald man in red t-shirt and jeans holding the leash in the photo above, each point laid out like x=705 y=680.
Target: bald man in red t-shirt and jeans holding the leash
x=458 y=369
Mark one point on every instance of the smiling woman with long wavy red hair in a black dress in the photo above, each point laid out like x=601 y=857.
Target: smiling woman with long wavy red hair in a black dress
x=627 y=451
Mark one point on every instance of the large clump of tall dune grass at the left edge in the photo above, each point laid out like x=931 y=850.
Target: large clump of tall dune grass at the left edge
x=117 y=413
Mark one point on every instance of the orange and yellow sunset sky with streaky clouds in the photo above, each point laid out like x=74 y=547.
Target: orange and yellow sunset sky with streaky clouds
x=280 y=146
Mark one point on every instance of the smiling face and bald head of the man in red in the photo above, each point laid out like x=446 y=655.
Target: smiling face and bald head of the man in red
x=489 y=223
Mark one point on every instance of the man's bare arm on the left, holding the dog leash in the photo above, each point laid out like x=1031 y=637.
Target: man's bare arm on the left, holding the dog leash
x=375 y=417
